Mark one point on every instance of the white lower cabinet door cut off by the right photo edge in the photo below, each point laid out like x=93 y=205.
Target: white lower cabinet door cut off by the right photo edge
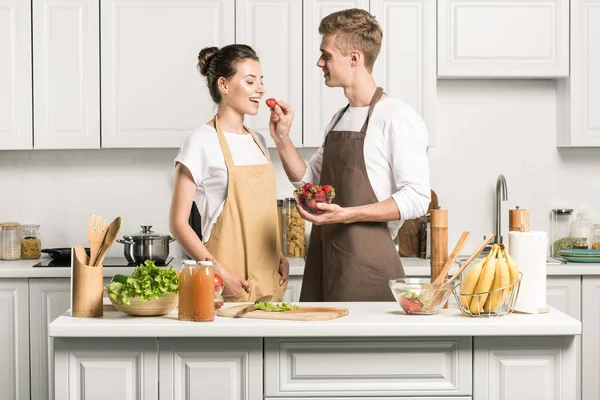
x=590 y=338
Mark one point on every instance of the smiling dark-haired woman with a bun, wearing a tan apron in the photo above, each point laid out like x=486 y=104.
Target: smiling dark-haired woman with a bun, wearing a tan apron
x=228 y=168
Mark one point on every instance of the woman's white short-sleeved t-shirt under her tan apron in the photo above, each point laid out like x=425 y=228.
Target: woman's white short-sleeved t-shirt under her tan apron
x=202 y=155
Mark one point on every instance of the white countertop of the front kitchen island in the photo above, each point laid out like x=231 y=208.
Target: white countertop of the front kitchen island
x=364 y=319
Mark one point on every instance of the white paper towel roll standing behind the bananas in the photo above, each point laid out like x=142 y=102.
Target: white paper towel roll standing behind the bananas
x=529 y=249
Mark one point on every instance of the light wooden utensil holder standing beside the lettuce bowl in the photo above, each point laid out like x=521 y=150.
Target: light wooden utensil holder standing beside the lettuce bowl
x=86 y=286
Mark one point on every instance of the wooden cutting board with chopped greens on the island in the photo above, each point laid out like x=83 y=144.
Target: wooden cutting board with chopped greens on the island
x=302 y=314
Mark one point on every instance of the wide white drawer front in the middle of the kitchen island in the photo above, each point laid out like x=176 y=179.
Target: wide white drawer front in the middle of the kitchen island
x=313 y=367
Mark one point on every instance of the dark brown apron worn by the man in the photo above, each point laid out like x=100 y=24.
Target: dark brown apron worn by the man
x=350 y=262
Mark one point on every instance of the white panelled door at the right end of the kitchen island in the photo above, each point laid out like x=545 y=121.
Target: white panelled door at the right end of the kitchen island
x=524 y=368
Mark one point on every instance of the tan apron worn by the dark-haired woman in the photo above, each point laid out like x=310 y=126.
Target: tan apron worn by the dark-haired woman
x=245 y=238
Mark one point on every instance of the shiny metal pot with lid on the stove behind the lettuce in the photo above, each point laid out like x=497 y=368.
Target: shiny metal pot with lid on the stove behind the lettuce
x=146 y=245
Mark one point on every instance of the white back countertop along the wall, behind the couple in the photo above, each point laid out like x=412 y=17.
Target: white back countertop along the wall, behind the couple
x=412 y=267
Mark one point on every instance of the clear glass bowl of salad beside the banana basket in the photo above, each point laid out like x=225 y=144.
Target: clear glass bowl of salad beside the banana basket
x=419 y=295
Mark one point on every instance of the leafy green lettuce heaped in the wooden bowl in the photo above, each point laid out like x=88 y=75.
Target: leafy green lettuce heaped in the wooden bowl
x=147 y=282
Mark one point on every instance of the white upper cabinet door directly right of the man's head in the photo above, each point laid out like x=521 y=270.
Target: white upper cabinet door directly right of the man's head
x=406 y=66
